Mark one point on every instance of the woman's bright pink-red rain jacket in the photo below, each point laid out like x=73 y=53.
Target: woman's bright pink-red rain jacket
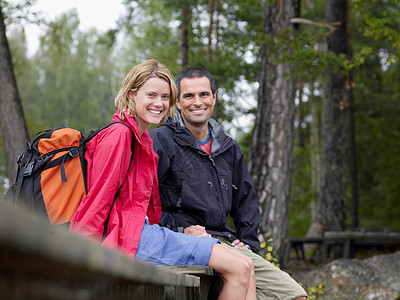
x=108 y=155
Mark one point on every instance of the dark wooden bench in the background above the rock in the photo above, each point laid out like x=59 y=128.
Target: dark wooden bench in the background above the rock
x=349 y=240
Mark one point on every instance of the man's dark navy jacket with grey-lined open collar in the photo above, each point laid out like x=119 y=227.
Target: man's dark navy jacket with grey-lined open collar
x=197 y=189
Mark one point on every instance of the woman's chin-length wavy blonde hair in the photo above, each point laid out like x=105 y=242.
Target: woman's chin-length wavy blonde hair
x=136 y=77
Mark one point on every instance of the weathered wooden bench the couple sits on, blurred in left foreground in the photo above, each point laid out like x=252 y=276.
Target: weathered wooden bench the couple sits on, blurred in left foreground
x=39 y=261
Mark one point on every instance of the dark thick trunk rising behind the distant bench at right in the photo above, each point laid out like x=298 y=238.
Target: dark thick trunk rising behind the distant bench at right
x=331 y=208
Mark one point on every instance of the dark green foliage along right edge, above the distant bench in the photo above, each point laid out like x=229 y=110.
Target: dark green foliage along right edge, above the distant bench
x=376 y=95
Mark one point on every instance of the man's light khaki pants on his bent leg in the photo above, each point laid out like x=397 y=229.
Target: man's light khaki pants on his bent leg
x=271 y=282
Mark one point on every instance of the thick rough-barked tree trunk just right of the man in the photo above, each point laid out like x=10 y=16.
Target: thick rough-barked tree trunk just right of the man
x=271 y=149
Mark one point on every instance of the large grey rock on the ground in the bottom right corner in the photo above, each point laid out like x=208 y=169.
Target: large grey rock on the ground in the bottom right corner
x=373 y=278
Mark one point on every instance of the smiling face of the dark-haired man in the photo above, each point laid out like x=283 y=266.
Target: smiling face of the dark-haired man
x=196 y=101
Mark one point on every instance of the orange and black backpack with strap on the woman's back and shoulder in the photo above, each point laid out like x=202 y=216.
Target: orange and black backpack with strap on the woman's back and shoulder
x=52 y=172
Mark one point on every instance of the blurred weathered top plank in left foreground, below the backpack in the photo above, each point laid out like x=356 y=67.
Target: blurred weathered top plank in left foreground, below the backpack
x=54 y=249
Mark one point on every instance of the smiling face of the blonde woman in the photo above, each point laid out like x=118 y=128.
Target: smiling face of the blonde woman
x=151 y=102
